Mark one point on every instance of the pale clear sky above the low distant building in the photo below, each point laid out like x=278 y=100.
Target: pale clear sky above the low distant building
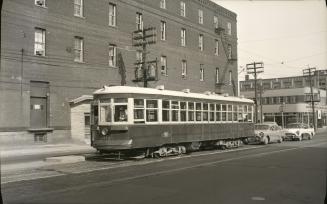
x=288 y=36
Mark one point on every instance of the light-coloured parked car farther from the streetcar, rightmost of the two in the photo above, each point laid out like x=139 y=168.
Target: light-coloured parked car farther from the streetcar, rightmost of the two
x=298 y=131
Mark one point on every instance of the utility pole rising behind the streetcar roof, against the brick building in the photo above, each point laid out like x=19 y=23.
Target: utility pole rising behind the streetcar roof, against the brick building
x=141 y=38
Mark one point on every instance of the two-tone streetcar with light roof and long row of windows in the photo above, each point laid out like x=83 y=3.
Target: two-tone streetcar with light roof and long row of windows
x=157 y=122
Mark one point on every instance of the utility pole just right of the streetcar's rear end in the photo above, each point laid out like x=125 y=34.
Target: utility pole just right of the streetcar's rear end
x=255 y=68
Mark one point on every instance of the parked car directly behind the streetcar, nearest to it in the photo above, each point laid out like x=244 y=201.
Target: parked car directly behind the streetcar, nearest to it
x=268 y=132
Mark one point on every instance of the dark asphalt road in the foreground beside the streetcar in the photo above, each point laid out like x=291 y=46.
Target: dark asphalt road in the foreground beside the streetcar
x=291 y=172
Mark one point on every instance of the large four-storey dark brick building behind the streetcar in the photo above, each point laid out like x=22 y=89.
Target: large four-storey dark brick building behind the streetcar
x=55 y=51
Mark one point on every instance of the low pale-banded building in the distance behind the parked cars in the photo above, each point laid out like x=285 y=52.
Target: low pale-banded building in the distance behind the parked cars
x=288 y=100
